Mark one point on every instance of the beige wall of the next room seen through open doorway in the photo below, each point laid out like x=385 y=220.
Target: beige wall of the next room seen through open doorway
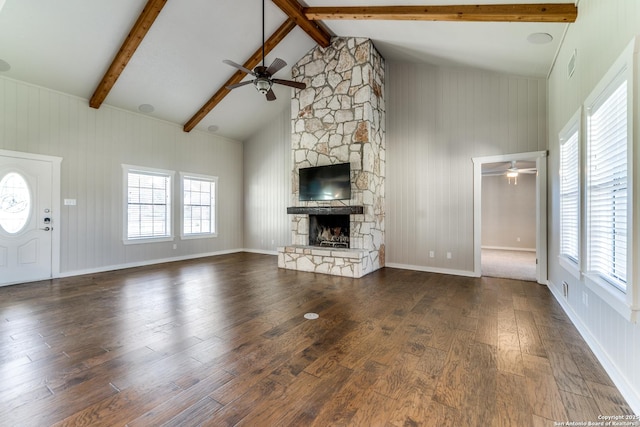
x=509 y=212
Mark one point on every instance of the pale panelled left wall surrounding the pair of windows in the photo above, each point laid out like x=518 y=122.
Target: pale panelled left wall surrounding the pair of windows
x=93 y=144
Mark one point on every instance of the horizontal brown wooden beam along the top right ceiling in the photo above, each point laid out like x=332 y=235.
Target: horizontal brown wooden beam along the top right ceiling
x=546 y=12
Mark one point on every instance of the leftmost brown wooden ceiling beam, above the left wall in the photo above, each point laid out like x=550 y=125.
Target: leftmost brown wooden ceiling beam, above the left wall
x=136 y=35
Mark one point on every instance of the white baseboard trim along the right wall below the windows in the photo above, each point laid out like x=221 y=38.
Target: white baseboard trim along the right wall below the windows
x=631 y=395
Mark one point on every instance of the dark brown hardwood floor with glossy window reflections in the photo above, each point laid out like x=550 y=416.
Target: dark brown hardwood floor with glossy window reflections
x=223 y=341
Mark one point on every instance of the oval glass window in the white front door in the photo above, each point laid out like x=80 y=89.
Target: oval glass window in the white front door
x=15 y=203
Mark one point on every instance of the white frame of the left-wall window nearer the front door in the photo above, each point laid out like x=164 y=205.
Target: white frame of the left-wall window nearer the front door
x=169 y=235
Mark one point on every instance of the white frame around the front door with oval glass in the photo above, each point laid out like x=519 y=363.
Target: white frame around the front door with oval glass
x=55 y=201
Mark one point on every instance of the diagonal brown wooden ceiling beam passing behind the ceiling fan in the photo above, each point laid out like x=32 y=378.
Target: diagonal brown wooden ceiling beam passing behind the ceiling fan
x=237 y=77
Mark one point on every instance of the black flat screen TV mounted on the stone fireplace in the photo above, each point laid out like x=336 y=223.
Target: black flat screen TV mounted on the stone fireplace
x=332 y=182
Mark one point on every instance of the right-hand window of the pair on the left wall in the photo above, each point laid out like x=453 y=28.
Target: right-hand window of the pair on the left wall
x=198 y=205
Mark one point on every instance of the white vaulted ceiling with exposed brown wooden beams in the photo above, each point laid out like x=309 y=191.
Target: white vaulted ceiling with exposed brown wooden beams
x=168 y=53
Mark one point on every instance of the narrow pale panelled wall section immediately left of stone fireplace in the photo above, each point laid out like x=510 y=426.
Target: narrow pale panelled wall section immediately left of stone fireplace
x=267 y=186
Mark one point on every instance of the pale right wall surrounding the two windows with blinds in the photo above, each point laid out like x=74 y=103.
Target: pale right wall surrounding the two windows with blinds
x=602 y=31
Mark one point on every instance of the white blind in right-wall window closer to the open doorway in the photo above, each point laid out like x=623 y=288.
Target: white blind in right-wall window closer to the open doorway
x=570 y=196
